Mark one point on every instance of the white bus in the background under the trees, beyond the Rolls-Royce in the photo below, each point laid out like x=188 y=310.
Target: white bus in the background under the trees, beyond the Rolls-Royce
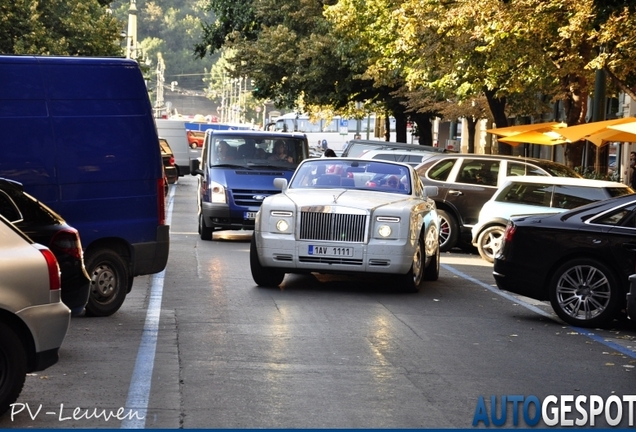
x=337 y=131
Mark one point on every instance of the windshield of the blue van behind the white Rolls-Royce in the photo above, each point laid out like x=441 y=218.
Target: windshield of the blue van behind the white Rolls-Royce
x=250 y=151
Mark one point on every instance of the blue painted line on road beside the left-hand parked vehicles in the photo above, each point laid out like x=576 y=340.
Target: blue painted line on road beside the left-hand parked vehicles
x=139 y=389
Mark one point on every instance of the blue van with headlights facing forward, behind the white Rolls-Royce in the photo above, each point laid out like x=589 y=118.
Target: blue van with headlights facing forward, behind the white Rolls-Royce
x=236 y=173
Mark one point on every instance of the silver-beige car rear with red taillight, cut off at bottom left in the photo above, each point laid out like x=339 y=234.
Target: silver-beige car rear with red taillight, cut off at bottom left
x=33 y=320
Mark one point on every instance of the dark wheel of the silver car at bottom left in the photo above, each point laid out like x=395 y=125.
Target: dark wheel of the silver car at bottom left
x=13 y=370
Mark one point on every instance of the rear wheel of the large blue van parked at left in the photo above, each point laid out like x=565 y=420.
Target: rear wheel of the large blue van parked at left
x=109 y=282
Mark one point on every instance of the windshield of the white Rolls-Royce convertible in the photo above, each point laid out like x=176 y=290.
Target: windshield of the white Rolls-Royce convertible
x=352 y=174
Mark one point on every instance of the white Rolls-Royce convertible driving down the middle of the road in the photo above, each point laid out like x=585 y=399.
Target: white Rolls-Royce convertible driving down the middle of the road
x=348 y=216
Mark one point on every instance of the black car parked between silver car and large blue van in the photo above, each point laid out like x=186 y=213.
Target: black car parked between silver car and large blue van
x=44 y=226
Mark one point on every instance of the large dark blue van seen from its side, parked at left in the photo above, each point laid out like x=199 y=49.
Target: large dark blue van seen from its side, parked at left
x=79 y=134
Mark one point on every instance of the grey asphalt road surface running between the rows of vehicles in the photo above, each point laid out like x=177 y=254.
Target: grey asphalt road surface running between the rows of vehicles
x=200 y=346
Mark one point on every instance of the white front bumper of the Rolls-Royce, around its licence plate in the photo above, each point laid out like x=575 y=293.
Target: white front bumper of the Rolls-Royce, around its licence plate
x=376 y=256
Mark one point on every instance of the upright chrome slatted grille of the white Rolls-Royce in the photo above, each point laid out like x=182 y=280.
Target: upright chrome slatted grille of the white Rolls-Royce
x=332 y=227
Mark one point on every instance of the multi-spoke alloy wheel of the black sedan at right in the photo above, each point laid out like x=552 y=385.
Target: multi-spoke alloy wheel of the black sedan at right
x=584 y=293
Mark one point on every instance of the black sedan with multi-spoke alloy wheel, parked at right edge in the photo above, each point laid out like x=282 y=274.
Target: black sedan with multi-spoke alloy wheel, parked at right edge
x=579 y=260
